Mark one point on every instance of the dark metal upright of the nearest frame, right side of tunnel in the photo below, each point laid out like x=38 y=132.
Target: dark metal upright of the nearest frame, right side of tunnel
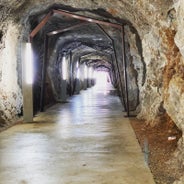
x=125 y=70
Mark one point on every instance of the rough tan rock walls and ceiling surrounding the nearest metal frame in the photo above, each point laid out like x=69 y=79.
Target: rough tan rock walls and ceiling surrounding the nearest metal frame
x=155 y=49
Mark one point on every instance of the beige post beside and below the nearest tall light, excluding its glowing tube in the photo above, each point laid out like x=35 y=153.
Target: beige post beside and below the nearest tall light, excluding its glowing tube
x=27 y=89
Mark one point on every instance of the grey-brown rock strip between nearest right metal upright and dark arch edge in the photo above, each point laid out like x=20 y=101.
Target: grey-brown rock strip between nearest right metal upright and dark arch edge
x=135 y=67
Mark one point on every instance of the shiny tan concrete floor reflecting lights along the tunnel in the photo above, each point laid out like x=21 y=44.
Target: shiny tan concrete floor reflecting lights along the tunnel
x=85 y=141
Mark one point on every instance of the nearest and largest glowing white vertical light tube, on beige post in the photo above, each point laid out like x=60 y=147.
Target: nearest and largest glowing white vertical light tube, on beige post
x=28 y=63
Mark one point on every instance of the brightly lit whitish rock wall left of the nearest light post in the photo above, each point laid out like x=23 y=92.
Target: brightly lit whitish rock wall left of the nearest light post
x=10 y=92
